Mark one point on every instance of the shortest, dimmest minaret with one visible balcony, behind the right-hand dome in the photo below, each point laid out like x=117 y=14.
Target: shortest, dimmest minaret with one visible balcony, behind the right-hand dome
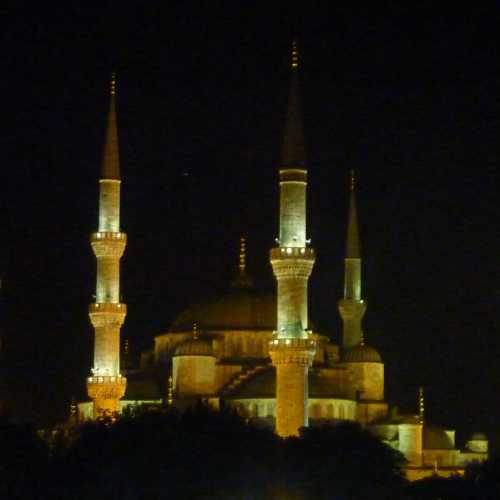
x=352 y=307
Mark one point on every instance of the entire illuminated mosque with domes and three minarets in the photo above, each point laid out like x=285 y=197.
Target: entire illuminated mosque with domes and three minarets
x=253 y=350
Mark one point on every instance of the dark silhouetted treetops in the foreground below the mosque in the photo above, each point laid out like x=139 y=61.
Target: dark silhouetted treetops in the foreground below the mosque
x=202 y=454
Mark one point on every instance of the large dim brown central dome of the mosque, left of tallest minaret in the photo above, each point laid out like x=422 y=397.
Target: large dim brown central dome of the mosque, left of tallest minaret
x=240 y=308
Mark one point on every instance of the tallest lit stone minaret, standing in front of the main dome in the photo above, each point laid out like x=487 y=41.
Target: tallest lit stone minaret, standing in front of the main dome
x=292 y=348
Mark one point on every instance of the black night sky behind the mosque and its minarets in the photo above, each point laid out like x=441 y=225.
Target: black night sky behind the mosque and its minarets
x=407 y=97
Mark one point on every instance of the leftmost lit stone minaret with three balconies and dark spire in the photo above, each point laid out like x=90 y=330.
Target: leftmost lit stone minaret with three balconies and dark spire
x=106 y=386
